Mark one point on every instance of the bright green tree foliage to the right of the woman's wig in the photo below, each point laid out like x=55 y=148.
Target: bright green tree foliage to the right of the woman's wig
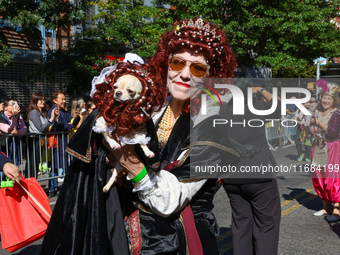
x=285 y=35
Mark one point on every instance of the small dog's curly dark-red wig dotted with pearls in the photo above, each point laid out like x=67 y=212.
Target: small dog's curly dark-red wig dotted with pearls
x=127 y=117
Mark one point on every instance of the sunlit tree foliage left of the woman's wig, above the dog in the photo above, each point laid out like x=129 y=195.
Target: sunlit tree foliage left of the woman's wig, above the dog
x=130 y=24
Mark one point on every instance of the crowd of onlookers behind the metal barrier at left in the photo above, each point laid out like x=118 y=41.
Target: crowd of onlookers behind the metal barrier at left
x=42 y=117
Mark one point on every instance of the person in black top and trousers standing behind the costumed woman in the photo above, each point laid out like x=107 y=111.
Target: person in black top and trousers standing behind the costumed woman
x=254 y=197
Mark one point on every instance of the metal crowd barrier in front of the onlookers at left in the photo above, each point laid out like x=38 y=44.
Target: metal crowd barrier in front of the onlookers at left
x=38 y=155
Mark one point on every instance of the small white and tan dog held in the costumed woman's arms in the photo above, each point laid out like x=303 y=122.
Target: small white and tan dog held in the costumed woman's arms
x=126 y=90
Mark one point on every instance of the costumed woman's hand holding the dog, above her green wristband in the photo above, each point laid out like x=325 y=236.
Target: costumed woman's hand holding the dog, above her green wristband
x=128 y=159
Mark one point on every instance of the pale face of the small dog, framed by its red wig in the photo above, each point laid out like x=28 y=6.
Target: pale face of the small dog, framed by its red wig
x=127 y=89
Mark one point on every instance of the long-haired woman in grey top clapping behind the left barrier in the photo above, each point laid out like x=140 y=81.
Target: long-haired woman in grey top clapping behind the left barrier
x=38 y=123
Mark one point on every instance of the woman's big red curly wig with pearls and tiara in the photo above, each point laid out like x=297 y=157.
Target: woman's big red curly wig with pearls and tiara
x=200 y=38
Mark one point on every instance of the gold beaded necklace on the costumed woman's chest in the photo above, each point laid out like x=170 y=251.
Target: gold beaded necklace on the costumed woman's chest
x=165 y=128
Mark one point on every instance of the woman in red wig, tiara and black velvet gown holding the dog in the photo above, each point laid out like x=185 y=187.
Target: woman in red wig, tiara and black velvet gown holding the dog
x=165 y=210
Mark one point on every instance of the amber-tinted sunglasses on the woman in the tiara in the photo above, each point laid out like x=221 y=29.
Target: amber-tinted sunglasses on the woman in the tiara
x=198 y=70
